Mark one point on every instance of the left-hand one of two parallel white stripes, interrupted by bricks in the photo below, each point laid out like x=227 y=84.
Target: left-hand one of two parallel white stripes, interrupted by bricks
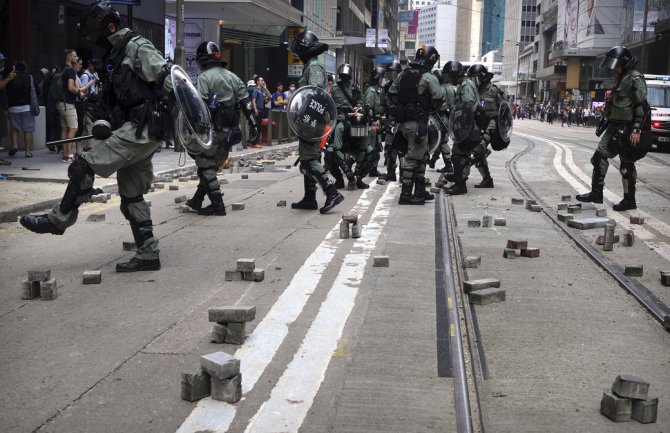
x=260 y=347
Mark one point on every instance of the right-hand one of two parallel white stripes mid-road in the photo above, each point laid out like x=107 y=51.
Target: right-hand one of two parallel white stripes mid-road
x=294 y=393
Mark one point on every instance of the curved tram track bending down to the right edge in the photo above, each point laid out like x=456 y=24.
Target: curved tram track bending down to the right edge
x=659 y=310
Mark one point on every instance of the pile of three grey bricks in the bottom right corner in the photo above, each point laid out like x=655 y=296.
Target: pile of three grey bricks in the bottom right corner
x=628 y=398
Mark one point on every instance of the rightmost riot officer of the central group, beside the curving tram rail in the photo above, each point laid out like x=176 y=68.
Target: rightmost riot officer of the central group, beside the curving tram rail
x=491 y=97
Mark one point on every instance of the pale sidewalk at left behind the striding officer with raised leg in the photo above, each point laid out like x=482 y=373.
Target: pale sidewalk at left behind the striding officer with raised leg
x=35 y=184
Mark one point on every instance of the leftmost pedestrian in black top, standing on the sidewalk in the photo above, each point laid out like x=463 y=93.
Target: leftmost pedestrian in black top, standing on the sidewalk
x=21 y=91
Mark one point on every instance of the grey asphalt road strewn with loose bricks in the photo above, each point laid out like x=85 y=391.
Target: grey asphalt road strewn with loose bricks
x=337 y=344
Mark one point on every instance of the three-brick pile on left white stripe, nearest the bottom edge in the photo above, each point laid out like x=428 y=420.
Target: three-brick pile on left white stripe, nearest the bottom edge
x=217 y=375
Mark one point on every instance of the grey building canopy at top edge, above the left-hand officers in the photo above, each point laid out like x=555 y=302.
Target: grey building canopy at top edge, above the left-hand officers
x=241 y=14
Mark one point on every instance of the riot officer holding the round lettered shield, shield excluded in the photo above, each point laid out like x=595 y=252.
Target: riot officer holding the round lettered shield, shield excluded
x=307 y=46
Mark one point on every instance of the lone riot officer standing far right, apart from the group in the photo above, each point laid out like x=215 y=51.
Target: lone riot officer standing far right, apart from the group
x=627 y=112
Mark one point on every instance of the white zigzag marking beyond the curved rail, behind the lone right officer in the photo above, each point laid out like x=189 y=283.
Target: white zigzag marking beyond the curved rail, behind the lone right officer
x=662 y=248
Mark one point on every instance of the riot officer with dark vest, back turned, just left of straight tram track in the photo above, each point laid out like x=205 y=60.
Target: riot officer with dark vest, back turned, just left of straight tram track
x=414 y=94
